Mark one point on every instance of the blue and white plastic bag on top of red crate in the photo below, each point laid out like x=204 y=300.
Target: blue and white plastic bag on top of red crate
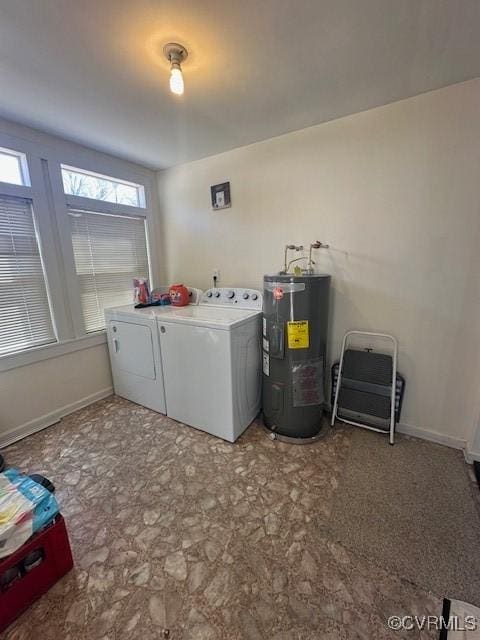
x=25 y=507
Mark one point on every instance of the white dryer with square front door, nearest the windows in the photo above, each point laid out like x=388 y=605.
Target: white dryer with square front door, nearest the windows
x=134 y=348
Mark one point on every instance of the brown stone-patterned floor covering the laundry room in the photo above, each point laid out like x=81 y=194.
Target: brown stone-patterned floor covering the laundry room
x=178 y=534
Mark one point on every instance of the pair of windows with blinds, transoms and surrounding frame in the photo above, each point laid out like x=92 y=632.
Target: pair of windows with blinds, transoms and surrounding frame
x=71 y=242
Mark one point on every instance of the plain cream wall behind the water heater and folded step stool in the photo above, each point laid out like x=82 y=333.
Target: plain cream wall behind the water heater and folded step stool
x=395 y=191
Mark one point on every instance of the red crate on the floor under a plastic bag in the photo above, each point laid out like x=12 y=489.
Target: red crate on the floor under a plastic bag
x=56 y=561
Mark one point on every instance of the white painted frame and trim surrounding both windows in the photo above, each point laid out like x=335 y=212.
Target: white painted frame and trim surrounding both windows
x=44 y=156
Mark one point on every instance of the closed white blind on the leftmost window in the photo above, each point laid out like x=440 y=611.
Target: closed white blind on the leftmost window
x=25 y=318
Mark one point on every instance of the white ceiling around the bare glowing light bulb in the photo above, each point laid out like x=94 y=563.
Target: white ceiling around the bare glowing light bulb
x=92 y=70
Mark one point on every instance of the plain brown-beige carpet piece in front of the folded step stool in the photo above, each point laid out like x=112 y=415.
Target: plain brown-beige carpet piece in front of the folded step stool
x=411 y=508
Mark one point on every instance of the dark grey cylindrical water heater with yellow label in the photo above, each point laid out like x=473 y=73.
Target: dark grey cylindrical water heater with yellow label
x=295 y=321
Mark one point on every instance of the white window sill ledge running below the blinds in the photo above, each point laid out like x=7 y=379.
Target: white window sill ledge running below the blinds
x=45 y=352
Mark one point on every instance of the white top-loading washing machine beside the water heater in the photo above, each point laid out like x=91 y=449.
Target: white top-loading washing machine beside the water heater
x=211 y=359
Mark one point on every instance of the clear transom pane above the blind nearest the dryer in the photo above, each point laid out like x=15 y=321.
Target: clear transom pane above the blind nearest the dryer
x=77 y=182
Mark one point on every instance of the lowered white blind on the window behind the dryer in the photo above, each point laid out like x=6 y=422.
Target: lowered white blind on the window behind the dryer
x=109 y=252
